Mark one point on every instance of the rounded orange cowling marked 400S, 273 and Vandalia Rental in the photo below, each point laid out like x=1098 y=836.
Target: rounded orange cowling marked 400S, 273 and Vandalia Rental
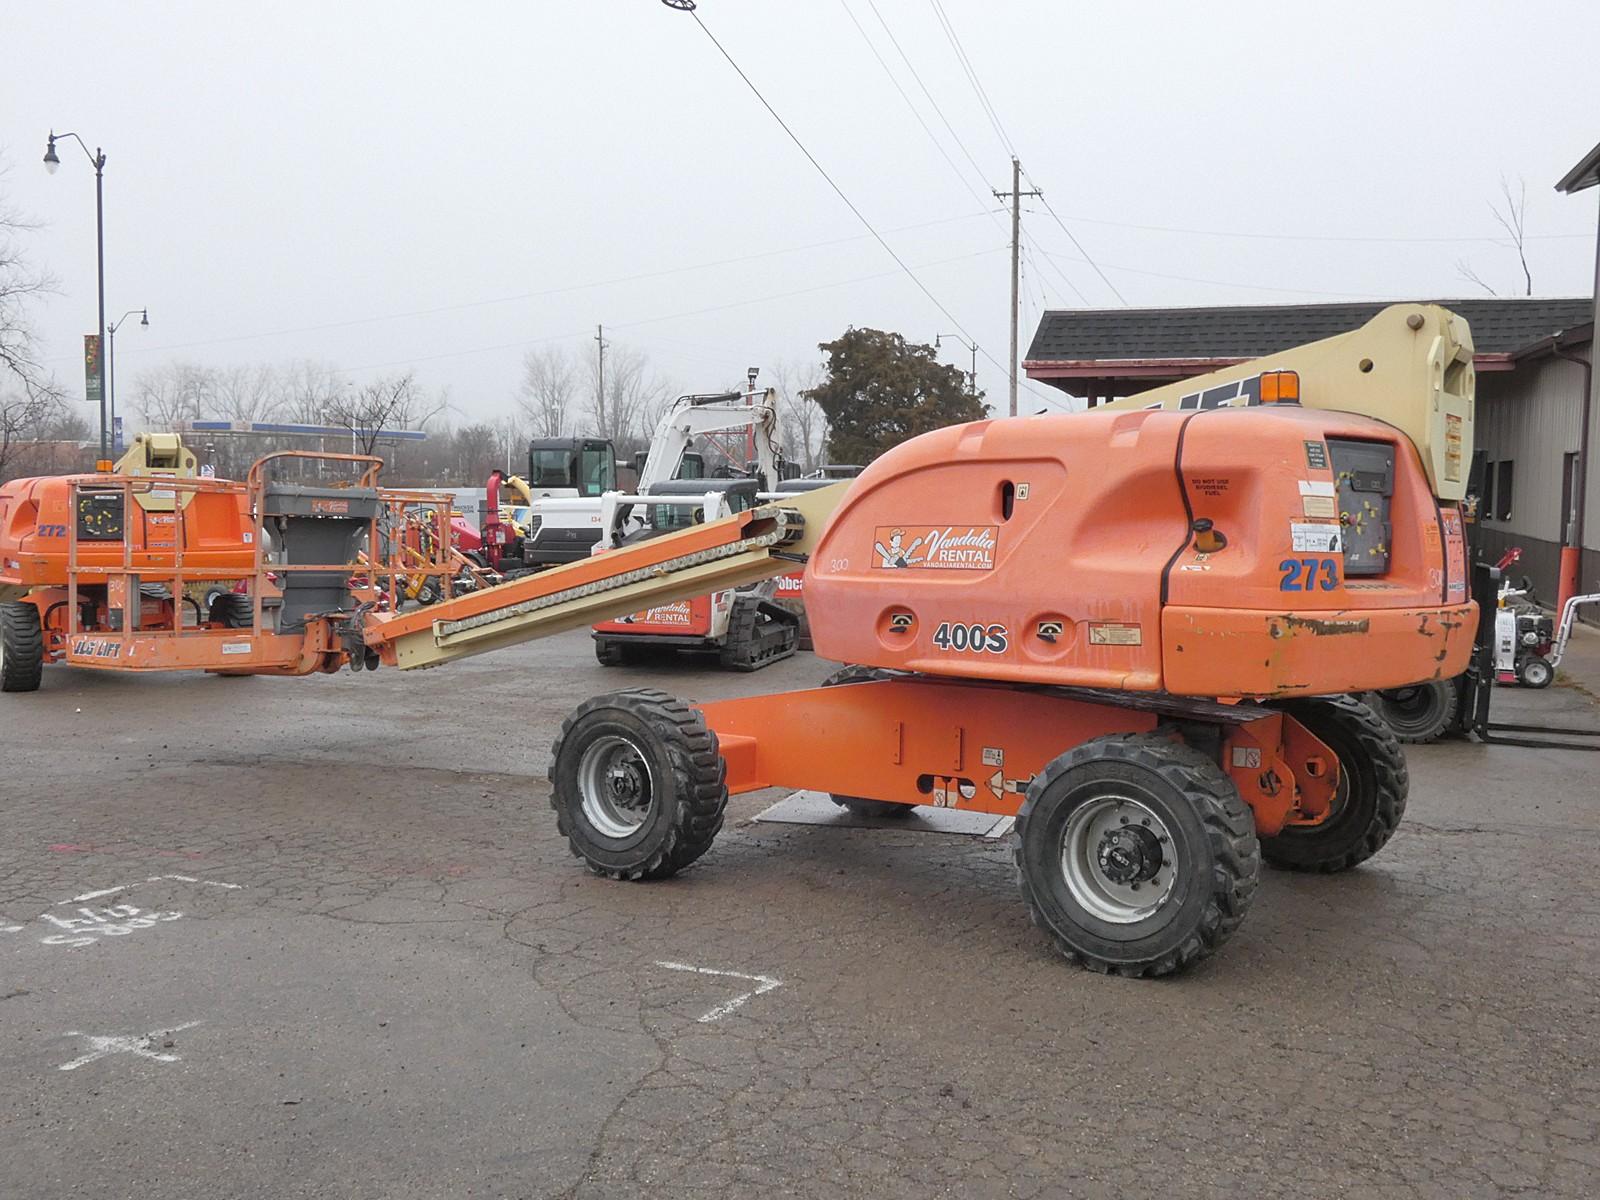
x=1222 y=553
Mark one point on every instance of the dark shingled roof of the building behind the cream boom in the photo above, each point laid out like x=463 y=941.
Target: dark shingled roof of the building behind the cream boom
x=1250 y=332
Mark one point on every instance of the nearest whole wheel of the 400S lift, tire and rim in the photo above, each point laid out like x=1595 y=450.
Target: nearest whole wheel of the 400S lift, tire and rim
x=1137 y=855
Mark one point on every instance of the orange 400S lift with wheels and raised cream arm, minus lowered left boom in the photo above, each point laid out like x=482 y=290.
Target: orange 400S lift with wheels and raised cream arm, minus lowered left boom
x=1130 y=628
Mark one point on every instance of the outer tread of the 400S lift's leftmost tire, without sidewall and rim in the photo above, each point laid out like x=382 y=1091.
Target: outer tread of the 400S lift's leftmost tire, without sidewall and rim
x=700 y=778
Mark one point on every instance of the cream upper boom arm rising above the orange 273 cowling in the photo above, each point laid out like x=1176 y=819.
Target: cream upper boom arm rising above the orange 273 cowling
x=1409 y=367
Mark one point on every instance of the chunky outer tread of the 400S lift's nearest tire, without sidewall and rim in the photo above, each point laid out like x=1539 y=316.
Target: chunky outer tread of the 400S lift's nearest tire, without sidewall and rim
x=1231 y=831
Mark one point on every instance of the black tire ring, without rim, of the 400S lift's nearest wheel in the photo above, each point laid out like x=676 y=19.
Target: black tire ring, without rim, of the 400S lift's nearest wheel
x=1214 y=842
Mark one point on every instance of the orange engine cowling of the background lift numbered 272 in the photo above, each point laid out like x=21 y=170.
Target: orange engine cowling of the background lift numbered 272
x=36 y=519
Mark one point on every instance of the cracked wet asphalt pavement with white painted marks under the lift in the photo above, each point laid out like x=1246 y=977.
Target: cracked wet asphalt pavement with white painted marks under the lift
x=415 y=991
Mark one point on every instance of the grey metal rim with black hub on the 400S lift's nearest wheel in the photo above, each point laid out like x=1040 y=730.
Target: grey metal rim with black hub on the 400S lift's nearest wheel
x=1118 y=860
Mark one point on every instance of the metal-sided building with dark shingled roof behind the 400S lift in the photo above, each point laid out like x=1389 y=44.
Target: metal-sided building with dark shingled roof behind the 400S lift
x=1534 y=386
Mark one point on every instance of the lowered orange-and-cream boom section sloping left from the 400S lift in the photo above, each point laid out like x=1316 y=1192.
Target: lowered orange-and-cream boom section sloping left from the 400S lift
x=746 y=548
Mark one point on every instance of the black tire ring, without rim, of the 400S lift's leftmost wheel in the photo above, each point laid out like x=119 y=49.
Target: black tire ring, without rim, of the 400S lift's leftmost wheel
x=686 y=770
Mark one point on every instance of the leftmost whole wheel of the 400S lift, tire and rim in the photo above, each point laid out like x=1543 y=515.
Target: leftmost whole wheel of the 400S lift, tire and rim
x=638 y=785
